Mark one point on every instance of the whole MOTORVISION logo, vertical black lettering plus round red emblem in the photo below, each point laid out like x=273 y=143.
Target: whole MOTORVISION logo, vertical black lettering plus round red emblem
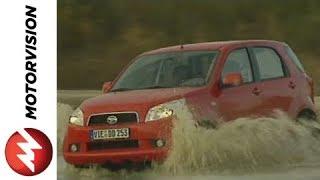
x=29 y=151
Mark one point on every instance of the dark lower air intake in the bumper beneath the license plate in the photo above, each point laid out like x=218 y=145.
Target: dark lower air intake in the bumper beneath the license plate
x=104 y=145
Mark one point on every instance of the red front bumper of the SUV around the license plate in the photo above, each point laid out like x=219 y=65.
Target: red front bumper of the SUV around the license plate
x=144 y=133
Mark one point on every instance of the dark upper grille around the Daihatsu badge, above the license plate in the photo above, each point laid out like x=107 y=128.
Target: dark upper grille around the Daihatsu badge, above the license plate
x=123 y=117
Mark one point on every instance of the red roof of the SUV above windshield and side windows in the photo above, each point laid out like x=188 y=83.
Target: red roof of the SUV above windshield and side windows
x=207 y=46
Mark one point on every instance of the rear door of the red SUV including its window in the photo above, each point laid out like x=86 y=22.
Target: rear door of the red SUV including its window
x=278 y=89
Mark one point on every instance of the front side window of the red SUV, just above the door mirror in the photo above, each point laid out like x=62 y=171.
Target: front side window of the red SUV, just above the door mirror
x=238 y=61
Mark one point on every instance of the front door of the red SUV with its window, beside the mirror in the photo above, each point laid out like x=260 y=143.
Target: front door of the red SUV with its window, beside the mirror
x=243 y=100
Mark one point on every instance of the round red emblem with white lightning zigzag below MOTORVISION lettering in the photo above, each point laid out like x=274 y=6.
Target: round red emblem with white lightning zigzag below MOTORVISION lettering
x=28 y=152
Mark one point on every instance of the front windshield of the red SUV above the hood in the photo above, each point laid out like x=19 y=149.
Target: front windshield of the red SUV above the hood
x=170 y=70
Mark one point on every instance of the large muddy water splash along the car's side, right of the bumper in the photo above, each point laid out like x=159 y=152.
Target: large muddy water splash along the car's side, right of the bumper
x=243 y=144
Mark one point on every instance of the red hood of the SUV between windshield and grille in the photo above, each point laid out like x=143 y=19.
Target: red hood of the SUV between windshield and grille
x=135 y=100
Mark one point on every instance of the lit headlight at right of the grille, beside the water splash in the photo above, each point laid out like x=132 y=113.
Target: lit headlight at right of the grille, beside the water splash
x=165 y=110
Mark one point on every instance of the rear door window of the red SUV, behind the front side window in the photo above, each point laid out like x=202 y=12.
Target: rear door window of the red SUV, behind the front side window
x=269 y=63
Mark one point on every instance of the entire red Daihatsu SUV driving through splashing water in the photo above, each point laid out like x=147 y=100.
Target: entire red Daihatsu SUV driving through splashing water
x=132 y=120
